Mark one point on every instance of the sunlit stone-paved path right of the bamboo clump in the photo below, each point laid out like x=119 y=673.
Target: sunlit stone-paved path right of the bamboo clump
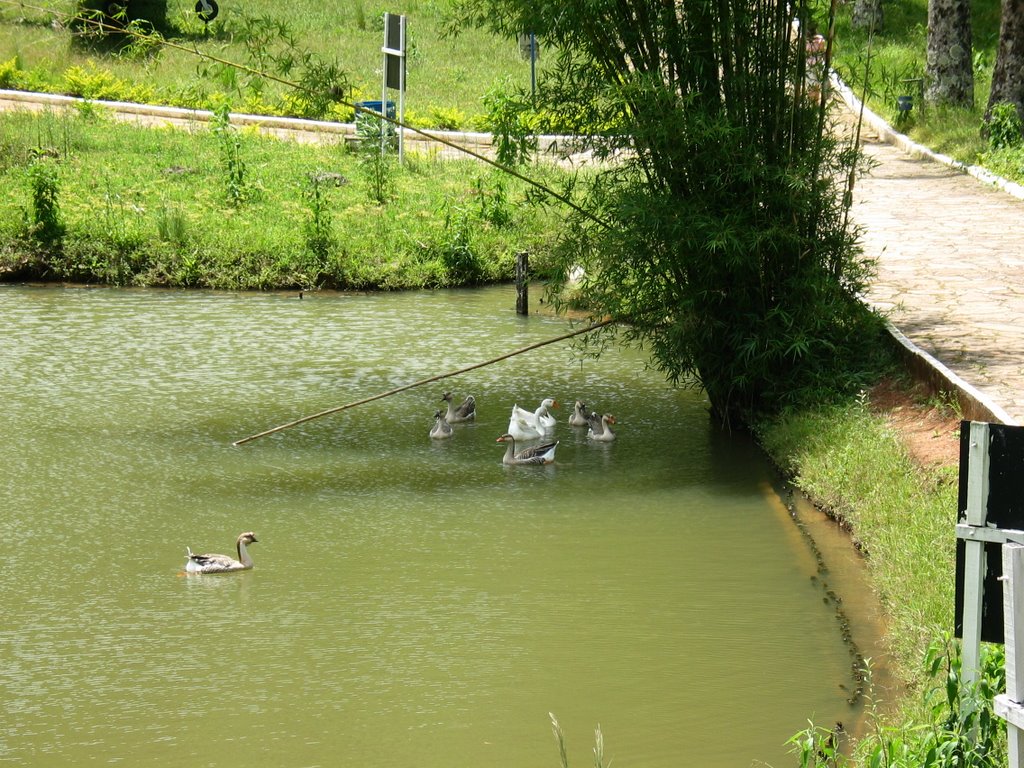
x=951 y=267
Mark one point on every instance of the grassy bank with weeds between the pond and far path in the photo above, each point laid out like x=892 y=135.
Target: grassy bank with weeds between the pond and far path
x=89 y=199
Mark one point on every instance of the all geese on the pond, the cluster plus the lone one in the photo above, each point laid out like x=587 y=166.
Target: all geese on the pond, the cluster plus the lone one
x=524 y=426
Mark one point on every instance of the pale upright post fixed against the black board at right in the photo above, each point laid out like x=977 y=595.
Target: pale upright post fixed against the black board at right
x=974 y=551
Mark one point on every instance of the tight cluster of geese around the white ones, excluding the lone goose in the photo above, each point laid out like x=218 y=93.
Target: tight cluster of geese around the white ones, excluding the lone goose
x=526 y=425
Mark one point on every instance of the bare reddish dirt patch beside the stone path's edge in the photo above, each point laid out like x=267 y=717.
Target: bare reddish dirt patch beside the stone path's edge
x=930 y=429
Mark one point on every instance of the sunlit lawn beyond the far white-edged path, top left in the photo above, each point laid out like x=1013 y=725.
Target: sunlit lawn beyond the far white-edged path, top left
x=446 y=77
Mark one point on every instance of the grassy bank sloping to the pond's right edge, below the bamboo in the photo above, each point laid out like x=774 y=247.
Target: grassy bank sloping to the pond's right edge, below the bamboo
x=851 y=461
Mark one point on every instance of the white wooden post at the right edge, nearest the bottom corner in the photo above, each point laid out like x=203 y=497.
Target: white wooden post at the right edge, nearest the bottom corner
x=1009 y=706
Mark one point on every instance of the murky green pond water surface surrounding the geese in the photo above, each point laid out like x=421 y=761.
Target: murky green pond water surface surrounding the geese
x=414 y=602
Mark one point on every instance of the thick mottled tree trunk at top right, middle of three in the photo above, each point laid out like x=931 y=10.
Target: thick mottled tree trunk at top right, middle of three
x=950 y=72
